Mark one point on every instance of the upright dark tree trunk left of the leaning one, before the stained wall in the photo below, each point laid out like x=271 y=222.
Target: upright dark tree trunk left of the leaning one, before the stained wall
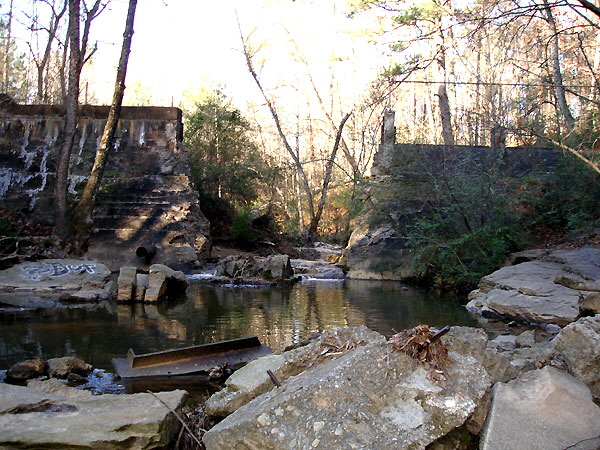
x=71 y=116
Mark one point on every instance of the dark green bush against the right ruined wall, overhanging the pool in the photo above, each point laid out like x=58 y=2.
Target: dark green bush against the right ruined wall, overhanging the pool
x=475 y=224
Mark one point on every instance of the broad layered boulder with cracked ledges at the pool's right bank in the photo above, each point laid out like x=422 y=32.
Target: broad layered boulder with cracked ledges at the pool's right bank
x=540 y=291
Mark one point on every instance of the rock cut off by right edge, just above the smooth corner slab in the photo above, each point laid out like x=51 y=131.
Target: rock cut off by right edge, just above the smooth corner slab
x=579 y=345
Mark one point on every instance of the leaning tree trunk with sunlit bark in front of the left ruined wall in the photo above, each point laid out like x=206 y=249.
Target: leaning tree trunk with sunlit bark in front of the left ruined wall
x=82 y=215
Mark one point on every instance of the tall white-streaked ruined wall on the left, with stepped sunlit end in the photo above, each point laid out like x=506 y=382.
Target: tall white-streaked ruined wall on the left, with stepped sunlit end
x=147 y=196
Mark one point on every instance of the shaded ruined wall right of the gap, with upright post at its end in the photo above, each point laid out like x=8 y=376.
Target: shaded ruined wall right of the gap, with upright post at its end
x=400 y=189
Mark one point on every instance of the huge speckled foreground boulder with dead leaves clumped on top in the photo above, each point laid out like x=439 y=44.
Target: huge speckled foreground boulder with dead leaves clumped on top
x=370 y=397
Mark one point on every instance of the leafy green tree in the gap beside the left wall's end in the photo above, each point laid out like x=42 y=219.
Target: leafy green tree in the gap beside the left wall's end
x=230 y=174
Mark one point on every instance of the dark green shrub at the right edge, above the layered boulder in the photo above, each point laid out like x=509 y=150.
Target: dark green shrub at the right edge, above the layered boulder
x=569 y=200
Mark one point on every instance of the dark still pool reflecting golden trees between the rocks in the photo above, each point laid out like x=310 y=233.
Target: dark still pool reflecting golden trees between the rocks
x=278 y=316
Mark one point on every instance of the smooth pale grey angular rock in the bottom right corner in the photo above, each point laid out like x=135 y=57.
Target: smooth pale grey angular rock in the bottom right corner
x=544 y=409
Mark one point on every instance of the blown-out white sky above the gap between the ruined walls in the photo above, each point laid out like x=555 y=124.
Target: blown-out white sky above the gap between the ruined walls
x=182 y=44
